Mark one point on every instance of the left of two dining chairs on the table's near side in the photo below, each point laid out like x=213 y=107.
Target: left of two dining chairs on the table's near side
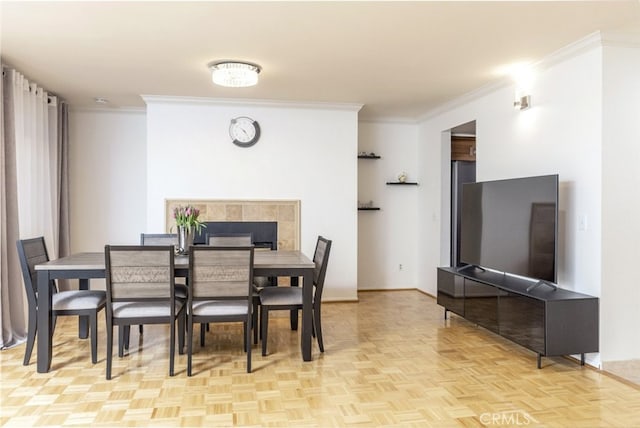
x=141 y=290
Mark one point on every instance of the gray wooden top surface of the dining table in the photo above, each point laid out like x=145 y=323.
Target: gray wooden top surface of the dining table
x=261 y=259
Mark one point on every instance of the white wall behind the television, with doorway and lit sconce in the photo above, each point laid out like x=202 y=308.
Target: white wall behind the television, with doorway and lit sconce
x=559 y=134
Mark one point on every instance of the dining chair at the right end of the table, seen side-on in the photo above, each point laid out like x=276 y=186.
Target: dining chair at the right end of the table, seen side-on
x=290 y=298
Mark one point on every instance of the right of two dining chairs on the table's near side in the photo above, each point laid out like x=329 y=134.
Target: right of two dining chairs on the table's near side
x=221 y=290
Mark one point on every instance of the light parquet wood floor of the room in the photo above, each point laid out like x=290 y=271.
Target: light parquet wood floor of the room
x=389 y=360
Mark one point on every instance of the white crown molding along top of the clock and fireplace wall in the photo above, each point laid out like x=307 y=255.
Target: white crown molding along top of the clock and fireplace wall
x=246 y=102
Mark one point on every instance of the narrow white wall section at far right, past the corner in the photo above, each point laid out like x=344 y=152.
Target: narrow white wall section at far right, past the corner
x=620 y=298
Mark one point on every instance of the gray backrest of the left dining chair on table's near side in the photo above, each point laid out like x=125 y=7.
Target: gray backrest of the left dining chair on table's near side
x=139 y=272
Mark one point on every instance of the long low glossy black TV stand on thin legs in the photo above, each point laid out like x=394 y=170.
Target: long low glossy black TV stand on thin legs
x=550 y=321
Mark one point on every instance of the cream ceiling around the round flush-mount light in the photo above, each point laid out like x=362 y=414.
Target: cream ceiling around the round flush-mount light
x=399 y=59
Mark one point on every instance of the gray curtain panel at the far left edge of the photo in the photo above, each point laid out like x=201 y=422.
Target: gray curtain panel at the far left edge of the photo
x=12 y=299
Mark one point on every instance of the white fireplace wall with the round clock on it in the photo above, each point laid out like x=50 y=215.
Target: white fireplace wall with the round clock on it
x=305 y=153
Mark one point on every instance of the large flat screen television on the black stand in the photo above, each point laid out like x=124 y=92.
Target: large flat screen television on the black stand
x=511 y=226
